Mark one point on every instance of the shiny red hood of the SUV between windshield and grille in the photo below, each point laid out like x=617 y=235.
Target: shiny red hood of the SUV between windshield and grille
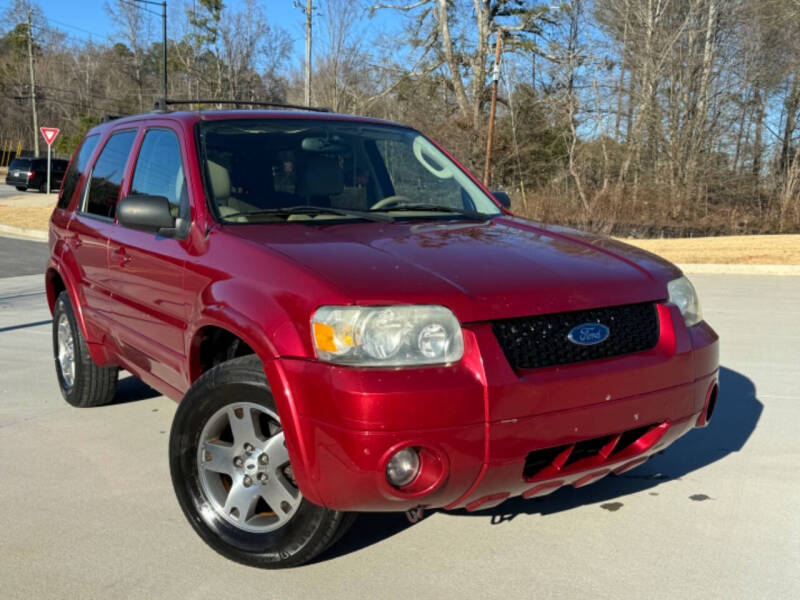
x=505 y=267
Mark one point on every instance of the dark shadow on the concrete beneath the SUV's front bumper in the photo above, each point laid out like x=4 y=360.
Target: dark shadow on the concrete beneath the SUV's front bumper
x=736 y=417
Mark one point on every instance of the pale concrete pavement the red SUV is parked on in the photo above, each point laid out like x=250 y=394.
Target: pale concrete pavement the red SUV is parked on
x=87 y=508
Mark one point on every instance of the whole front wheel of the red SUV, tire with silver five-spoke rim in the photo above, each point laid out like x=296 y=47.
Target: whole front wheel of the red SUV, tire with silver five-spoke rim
x=244 y=506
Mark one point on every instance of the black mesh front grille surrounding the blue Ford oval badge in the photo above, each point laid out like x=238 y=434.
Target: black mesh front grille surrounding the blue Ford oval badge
x=541 y=341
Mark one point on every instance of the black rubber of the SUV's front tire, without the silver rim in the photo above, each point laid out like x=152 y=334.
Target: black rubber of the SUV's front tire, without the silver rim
x=306 y=533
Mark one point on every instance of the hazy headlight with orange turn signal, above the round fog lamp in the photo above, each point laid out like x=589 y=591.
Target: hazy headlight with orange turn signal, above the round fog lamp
x=387 y=336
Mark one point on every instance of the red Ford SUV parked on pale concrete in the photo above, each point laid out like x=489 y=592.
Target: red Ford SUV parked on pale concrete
x=352 y=322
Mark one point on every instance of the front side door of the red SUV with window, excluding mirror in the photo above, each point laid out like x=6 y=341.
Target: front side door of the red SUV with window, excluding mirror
x=146 y=270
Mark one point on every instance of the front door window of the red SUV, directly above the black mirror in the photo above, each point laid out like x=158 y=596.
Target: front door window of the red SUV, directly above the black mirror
x=159 y=169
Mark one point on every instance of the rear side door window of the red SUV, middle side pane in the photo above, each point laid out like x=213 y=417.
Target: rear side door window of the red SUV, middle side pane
x=107 y=174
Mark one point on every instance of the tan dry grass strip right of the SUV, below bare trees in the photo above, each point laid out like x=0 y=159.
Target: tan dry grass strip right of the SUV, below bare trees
x=740 y=249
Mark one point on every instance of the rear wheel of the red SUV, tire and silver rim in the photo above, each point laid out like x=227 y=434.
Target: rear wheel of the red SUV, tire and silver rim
x=84 y=384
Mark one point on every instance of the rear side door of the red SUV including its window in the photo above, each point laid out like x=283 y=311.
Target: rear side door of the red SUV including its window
x=91 y=225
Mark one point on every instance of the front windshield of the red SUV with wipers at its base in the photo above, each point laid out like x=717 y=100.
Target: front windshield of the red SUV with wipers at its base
x=266 y=170
